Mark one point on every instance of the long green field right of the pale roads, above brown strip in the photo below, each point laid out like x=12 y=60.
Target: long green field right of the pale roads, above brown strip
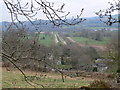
x=83 y=40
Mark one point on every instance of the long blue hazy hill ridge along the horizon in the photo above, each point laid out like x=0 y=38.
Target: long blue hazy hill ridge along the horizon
x=91 y=23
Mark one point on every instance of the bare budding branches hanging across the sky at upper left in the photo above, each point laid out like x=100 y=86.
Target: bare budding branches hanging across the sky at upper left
x=30 y=10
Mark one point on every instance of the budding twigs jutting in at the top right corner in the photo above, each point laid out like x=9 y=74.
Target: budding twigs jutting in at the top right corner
x=106 y=15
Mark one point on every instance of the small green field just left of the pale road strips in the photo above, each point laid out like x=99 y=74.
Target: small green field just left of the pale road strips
x=46 y=39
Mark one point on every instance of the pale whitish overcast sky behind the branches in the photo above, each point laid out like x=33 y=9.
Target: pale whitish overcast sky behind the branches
x=72 y=6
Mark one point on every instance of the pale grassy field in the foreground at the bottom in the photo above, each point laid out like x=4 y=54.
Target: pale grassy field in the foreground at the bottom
x=14 y=79
